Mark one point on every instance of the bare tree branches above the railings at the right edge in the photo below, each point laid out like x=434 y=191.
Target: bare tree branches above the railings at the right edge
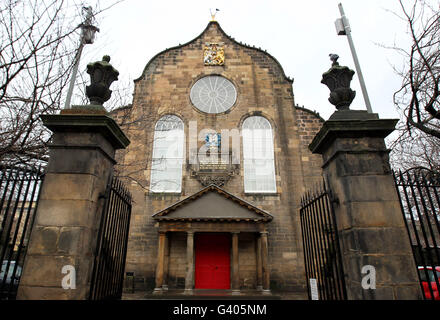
x=417 y=100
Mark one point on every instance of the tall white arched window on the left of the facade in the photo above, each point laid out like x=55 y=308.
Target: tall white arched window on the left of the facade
x=168 y=154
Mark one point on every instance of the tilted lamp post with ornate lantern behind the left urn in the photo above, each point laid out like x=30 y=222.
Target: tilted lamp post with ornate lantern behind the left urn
x=87 y=37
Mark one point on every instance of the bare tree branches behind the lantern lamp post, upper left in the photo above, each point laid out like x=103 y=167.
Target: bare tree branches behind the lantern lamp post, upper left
x=38 y=42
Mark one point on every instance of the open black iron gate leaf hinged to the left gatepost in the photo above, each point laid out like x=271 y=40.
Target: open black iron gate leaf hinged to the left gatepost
x=111 y=250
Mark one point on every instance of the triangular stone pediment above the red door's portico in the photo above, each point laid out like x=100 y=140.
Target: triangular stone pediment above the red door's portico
x=213 y=204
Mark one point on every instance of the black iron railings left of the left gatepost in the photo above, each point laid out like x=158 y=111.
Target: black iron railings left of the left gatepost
x=19 y=190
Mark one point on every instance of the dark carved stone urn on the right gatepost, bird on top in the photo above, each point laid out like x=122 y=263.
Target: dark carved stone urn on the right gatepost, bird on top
x=338 y=79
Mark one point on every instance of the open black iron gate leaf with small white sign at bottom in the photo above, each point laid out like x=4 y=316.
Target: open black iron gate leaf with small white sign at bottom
x=324 y=271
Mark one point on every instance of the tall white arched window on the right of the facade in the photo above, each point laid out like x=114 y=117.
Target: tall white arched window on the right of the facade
x=258 y=156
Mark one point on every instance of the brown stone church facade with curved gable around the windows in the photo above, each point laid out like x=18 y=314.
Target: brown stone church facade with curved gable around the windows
x=262 y=89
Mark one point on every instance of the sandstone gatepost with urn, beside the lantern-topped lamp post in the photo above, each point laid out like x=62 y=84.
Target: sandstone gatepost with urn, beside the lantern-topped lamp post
x=60 y=257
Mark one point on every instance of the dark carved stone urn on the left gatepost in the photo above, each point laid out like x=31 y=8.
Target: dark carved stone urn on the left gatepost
x=102 y=74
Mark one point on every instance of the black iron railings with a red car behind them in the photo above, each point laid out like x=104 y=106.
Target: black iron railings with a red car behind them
x=419 y=194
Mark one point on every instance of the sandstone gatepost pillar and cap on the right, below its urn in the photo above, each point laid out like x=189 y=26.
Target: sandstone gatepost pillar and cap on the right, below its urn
x=370 y=223
